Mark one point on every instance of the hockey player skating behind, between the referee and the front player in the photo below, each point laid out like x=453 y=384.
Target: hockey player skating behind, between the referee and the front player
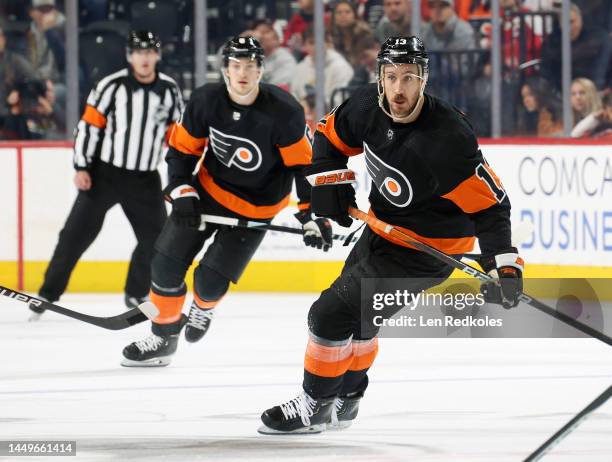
x=256 y=143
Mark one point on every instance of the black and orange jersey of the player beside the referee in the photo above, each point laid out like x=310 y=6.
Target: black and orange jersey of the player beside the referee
x=253 y=152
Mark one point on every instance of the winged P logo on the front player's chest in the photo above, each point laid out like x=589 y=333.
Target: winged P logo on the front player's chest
x=391 y=183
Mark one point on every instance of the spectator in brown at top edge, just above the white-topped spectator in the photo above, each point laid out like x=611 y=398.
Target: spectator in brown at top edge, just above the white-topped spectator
x=347 y=31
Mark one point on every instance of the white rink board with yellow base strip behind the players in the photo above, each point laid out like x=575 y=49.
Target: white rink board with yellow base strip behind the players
x=563 y=190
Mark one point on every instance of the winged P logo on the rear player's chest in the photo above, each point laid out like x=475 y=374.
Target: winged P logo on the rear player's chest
x=235 y=151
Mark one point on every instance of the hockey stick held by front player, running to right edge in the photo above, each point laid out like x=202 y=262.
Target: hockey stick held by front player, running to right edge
x=396 y=233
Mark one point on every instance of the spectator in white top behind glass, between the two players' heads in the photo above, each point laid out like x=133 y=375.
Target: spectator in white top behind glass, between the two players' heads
x=338 y=72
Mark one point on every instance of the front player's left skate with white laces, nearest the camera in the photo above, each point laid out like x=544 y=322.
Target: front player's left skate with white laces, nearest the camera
x=299 y=415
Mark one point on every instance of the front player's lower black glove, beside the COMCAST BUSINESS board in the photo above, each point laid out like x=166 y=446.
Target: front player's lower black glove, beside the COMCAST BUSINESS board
x=507 y=270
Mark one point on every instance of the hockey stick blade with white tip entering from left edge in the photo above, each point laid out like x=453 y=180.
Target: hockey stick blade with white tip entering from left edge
x=146 y=310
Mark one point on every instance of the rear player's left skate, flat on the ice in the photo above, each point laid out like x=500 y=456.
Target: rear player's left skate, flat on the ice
x=154 y=351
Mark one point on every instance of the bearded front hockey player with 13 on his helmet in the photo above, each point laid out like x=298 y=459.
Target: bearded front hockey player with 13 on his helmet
x=431 y=181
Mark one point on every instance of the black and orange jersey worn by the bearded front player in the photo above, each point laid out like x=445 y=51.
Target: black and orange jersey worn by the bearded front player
x=429 y=177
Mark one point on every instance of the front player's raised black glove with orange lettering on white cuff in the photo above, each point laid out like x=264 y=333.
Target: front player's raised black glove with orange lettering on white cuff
x=332 y=194
